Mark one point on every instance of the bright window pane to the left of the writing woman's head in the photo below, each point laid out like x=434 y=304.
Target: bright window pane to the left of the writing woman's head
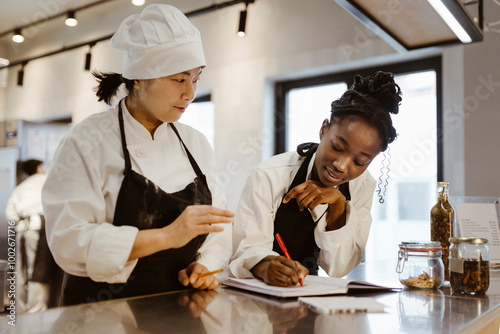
x=307 y=109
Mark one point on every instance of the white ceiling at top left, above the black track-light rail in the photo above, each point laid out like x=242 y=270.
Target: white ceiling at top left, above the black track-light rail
x=94 y=22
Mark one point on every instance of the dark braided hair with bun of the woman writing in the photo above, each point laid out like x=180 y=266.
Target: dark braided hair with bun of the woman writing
x=371 y=99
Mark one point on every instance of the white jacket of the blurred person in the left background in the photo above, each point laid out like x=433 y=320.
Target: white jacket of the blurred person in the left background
x=26 y=201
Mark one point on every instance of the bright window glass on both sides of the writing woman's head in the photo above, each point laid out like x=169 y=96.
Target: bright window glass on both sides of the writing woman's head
x=409 y=191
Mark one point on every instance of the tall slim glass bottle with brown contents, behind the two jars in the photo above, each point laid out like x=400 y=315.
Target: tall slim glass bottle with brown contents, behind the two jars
x=442 y=216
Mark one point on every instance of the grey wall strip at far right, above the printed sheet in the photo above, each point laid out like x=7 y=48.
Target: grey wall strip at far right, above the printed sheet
x=482 y=110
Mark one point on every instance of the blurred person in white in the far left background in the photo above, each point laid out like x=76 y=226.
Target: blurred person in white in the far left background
x=25 y=208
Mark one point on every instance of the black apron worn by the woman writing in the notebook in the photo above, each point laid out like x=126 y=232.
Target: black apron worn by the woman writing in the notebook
x=296 y=227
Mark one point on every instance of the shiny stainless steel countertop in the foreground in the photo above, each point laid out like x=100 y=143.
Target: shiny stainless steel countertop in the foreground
x=226 y=310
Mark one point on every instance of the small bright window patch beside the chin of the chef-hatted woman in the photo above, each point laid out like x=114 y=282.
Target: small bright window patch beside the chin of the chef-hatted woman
x=201 y=116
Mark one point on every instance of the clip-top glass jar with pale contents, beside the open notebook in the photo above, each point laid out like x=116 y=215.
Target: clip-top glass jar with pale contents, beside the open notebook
x=420 y=265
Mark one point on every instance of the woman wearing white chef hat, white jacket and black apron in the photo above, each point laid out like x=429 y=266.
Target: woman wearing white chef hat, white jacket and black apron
x=120 y=195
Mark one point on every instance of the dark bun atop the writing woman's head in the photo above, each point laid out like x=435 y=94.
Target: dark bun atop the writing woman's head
x=381 y=88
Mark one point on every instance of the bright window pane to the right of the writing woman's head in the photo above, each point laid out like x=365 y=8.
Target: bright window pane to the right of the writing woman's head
x=404 y=215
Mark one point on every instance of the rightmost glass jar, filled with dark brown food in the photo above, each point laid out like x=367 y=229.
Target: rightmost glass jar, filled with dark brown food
x=469 y=266
